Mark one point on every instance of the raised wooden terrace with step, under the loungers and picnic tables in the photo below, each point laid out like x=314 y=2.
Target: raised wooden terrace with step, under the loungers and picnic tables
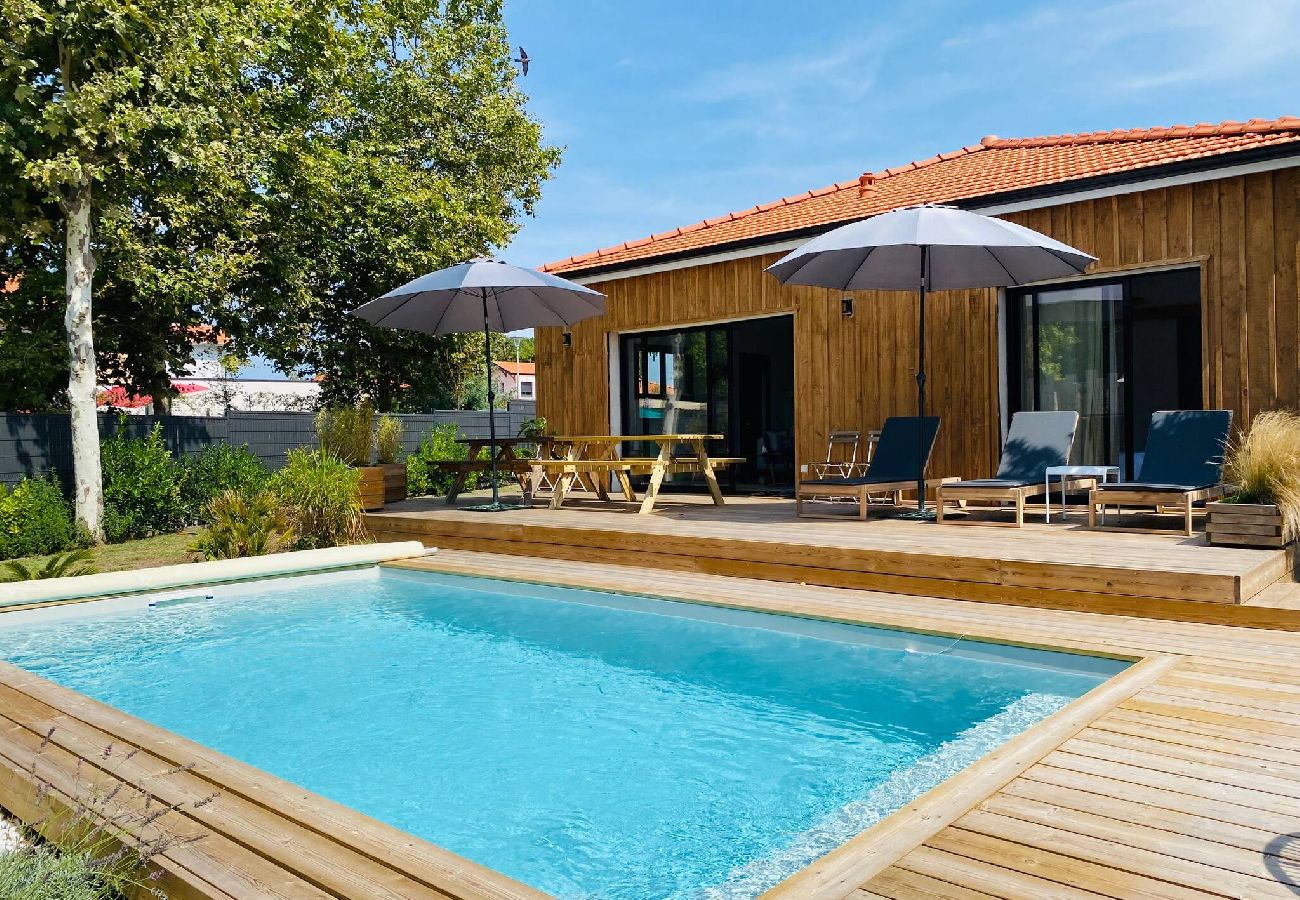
x=1058 y=566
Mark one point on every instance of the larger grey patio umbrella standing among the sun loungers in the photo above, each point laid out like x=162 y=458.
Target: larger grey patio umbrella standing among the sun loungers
x=924 y=249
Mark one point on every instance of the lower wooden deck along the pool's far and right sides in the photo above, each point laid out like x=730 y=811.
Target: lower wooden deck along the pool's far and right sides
x=1180 y=778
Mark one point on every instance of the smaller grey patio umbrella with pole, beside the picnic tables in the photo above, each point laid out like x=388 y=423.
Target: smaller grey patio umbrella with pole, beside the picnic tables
x=488 y=295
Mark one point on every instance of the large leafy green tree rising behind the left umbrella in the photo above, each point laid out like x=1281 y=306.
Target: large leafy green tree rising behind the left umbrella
x=430 y=159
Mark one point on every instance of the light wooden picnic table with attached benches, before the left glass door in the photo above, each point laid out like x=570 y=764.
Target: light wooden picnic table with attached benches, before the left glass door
x=595 y=458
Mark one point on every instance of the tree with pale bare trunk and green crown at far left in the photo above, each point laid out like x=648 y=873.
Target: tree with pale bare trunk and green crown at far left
x=106 y=101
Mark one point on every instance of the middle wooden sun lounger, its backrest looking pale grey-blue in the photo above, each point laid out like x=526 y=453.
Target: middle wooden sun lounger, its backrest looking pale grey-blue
x=1034 y=443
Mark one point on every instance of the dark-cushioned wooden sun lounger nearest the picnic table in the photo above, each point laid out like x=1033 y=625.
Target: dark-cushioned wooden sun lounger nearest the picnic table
x=892 y=471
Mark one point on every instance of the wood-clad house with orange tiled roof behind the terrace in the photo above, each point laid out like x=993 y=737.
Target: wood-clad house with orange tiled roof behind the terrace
x=1193 y=304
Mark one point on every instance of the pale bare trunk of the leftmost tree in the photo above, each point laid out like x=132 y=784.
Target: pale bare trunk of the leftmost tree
x=80 y=263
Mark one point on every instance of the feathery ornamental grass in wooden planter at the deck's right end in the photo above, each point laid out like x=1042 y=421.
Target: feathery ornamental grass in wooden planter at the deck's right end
x=1264 y=465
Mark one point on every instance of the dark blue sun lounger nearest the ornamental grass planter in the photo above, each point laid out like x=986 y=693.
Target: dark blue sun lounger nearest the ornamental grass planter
x=1184 y=466
